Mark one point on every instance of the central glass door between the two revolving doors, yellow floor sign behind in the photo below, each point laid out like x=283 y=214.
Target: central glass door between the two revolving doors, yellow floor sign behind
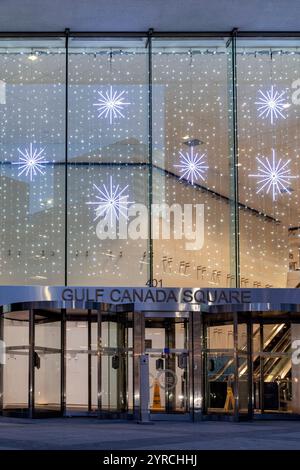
x=166 y=343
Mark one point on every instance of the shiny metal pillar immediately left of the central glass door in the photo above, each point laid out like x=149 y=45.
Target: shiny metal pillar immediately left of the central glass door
x=138 y=349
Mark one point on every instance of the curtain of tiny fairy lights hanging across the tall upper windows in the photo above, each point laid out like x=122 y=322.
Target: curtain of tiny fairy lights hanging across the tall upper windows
x=108 y=152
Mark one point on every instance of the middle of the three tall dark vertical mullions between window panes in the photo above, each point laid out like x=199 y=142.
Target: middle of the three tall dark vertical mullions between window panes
x=150 y=156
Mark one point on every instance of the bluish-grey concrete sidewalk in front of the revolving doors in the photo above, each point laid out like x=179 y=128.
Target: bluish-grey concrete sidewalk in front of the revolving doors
x=92 y=434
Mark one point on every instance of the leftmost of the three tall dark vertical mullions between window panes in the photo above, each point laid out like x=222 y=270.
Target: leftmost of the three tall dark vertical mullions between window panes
x=67 y=31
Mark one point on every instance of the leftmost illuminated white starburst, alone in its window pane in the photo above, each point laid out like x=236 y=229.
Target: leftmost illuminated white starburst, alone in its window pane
x=31 y=161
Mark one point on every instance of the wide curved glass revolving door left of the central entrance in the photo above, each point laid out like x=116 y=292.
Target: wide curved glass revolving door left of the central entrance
x=66 y=362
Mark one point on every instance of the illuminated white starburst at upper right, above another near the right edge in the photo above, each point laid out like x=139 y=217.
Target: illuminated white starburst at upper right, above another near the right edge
x=271 y=104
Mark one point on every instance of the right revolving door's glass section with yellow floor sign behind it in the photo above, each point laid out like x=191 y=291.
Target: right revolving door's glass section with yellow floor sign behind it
x=227 y=374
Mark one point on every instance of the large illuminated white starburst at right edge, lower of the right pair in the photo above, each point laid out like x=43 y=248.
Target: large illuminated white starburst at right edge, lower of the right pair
x=274 y=175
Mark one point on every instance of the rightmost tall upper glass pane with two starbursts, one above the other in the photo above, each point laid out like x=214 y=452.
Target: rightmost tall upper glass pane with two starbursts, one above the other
x=268 y=126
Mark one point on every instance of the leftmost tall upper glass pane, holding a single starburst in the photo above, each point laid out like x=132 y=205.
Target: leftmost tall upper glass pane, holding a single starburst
x=32 y=150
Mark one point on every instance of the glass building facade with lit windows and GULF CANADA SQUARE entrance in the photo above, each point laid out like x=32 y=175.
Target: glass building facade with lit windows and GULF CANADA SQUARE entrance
x=149 y=208
